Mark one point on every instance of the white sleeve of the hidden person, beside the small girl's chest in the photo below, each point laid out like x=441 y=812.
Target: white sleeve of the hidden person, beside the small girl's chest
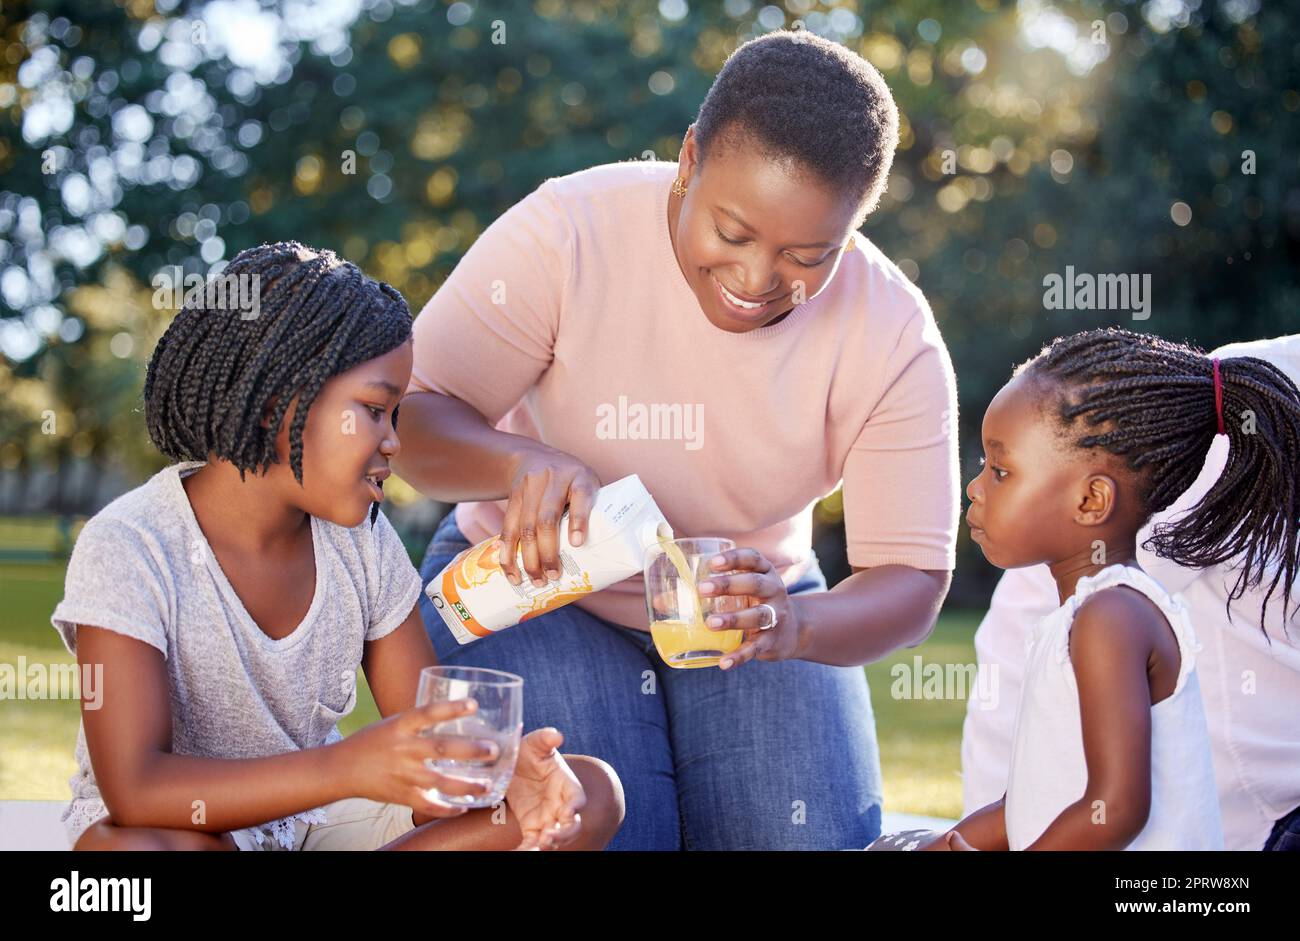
x=1022 y=599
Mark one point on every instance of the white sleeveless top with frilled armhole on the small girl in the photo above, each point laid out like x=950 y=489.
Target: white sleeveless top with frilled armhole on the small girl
x=1048 y=770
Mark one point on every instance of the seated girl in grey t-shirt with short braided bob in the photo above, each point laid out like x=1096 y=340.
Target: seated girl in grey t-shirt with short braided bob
x=231 y=600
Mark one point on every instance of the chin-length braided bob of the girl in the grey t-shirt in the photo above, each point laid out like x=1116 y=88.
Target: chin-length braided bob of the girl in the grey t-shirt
x=216 y=371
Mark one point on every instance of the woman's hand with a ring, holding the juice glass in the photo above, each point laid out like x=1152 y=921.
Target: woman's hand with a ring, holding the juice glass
x=759 y=584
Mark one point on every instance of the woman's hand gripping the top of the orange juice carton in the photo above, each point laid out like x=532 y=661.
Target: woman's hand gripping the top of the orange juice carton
x=543 y=483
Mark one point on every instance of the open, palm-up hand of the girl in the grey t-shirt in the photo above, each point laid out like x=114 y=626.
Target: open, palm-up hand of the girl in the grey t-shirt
x=545 y=795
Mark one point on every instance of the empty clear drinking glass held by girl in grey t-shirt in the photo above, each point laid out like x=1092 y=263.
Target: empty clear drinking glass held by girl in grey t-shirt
x=500 y=719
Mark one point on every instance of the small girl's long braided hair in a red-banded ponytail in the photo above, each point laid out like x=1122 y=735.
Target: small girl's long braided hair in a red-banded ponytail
x=1154 y=404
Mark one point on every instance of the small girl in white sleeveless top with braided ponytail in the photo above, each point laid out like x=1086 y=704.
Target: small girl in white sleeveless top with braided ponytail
x=1087 y=441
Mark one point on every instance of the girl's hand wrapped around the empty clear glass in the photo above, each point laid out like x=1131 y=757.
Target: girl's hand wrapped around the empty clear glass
x=385 y=761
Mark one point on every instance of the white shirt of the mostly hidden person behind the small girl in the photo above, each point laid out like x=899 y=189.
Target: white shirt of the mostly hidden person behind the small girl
x=1255 y=739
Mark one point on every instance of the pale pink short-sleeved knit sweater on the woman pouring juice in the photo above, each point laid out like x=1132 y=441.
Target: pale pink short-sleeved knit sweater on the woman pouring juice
x=570 y=322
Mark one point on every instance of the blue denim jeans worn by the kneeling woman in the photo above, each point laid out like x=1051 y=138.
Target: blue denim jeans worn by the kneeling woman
x=765 y=757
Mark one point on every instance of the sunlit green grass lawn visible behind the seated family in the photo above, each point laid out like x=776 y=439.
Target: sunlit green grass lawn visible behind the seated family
x=920 y=739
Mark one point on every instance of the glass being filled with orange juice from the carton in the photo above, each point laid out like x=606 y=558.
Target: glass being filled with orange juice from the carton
x=673 y=571
